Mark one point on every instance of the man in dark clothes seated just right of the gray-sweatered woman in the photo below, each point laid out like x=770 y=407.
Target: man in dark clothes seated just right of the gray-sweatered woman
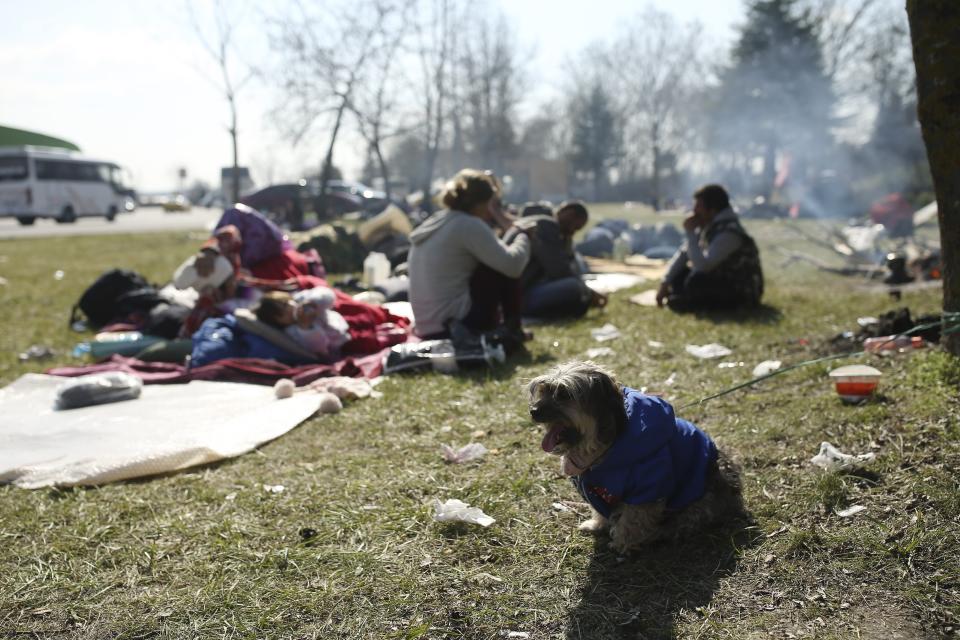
x=551 y=282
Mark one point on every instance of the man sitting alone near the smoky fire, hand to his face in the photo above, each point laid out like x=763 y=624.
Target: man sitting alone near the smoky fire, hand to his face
x=719 y=267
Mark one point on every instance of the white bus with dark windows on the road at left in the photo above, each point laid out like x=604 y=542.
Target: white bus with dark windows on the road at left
x=40 y=182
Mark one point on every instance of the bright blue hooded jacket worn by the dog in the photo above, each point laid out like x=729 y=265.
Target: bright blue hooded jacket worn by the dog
x=658 y=457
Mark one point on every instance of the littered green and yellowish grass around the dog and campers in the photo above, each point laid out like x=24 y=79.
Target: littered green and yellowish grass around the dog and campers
x=350 y=550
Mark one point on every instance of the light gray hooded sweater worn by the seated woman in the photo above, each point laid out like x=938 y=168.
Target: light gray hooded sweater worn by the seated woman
x=445 y=251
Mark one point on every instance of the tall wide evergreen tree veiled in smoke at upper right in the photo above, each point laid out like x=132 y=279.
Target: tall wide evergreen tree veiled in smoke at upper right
x=776 y=97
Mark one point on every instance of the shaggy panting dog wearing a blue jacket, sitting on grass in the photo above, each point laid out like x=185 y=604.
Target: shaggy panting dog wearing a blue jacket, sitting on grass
x=647 y=475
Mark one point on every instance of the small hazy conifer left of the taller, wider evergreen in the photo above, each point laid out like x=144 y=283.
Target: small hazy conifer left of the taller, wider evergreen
x=595 y=137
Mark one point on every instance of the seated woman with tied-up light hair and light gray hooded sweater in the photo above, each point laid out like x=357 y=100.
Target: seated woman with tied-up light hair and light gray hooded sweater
x=463 y=278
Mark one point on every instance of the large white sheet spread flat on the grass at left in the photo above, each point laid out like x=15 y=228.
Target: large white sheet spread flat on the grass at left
x=168 y=428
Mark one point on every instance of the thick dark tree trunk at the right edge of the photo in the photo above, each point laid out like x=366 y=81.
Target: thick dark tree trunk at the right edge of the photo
x=934 y=25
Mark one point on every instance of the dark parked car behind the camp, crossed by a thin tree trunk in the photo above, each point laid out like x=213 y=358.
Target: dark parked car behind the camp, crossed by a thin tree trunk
x=288 y=203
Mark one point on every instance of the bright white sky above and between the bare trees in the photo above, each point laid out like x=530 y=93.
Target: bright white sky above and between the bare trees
x=129 y=80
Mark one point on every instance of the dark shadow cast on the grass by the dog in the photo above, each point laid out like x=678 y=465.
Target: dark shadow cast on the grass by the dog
x=641 y=596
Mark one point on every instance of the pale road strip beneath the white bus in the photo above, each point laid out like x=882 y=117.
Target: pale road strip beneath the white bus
x=143 y=220
